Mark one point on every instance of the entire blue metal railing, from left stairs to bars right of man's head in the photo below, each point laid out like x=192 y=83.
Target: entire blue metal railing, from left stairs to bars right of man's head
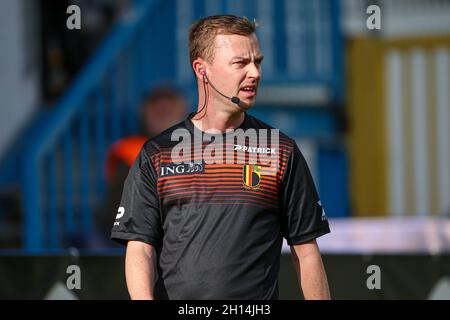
x=63 y=164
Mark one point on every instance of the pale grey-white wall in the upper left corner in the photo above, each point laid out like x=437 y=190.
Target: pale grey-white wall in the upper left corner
x=19 y=68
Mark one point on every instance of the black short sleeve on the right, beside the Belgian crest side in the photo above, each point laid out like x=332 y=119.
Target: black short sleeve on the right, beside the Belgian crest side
x=302 y=216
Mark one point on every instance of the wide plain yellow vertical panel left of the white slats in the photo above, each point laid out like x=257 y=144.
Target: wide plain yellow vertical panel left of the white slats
x=367 y=127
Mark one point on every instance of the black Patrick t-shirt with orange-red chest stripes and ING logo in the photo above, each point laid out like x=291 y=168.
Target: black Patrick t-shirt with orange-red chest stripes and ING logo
x=218 y=226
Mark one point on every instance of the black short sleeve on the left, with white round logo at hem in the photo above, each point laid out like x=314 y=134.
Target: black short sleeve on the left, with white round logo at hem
x=138 y=216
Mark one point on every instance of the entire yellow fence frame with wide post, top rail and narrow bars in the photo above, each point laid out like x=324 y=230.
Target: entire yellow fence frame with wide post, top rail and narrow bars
x=368 y=128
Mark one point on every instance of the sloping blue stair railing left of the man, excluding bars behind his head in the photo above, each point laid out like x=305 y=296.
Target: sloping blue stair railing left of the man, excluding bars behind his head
x=62 y=168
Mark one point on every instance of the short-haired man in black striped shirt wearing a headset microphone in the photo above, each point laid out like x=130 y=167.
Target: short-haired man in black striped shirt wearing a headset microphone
x=211 y=229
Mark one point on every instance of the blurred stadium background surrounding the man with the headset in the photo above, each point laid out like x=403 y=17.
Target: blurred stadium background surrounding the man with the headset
x=369 y=108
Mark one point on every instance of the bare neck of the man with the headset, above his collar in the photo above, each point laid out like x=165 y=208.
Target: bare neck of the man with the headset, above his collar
x=218 y=120
